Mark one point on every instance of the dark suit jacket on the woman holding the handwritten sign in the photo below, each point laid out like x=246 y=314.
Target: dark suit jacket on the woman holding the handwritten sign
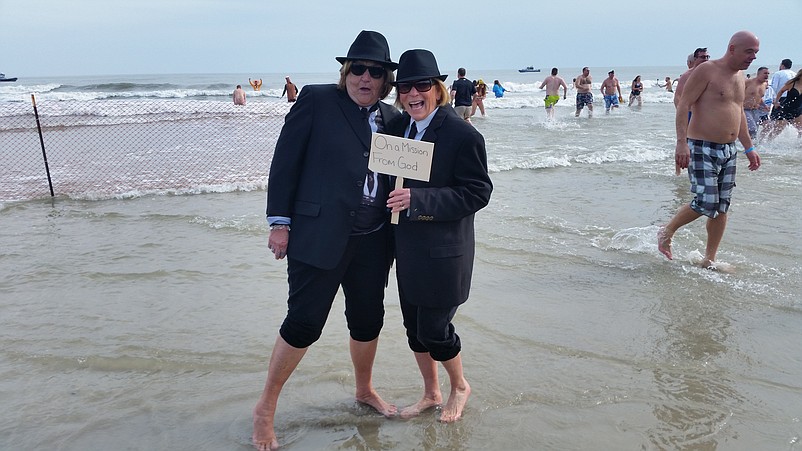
x=435 y=237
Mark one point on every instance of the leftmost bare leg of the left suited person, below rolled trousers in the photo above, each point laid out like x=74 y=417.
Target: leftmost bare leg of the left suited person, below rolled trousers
x=283 y=362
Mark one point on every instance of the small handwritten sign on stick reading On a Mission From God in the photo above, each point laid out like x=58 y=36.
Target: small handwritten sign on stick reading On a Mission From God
x=401 y=157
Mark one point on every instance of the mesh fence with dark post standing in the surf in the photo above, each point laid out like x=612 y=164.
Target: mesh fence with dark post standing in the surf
x=130 y=147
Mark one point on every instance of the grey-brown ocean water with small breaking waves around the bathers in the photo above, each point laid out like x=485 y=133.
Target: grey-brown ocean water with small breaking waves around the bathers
x=145 y=320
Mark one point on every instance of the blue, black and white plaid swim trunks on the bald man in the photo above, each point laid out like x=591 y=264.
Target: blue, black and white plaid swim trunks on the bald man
x=712 y=174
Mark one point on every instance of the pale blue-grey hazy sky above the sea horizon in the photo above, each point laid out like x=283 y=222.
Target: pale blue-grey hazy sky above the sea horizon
x=99 y=37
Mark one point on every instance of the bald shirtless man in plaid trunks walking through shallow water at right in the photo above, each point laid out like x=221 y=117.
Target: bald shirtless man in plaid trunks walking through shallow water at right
x=706 y=145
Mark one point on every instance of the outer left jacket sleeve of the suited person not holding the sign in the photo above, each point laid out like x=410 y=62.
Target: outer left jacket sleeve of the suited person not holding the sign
x=288 y=158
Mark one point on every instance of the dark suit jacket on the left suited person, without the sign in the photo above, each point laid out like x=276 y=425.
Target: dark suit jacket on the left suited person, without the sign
x=318 y=171
